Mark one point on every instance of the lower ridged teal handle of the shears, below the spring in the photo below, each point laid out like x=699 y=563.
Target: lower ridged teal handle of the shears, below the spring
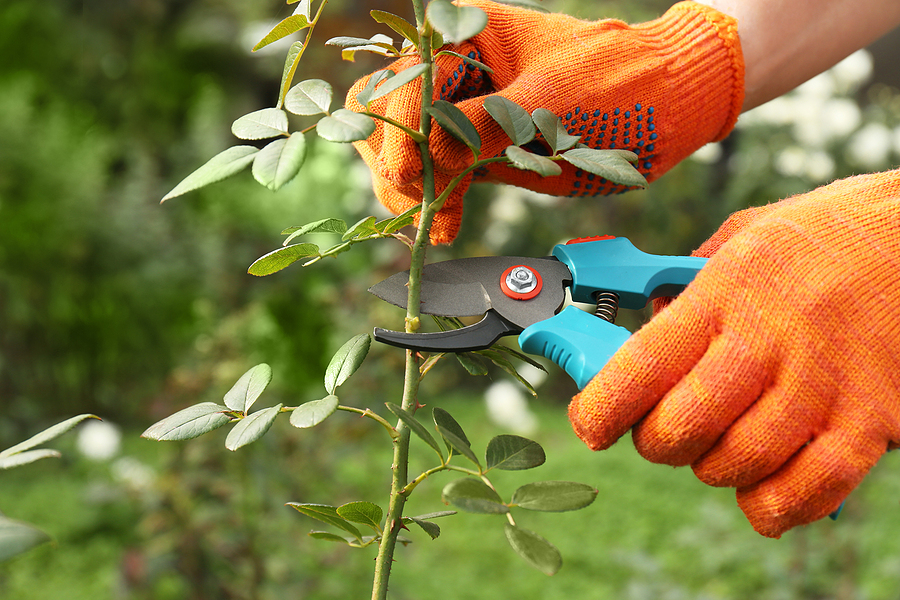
x=577 y=341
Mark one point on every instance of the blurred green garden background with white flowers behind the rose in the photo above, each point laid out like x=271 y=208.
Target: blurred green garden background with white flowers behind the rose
x=113 y=304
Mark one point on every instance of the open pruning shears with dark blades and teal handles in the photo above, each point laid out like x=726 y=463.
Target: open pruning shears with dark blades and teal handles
x=524 y=296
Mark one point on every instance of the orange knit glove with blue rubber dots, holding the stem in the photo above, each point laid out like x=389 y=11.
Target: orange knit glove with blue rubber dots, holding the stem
x=661 y=89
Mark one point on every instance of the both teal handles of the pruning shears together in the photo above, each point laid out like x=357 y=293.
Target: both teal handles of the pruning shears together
x=582 y=343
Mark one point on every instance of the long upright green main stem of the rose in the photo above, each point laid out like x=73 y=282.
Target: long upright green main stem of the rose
x=410 y=402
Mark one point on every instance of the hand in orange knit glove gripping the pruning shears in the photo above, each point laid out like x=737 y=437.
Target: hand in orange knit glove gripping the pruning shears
x=776 y=371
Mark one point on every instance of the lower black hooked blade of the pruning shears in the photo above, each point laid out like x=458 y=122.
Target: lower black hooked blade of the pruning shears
x=478 y=336
